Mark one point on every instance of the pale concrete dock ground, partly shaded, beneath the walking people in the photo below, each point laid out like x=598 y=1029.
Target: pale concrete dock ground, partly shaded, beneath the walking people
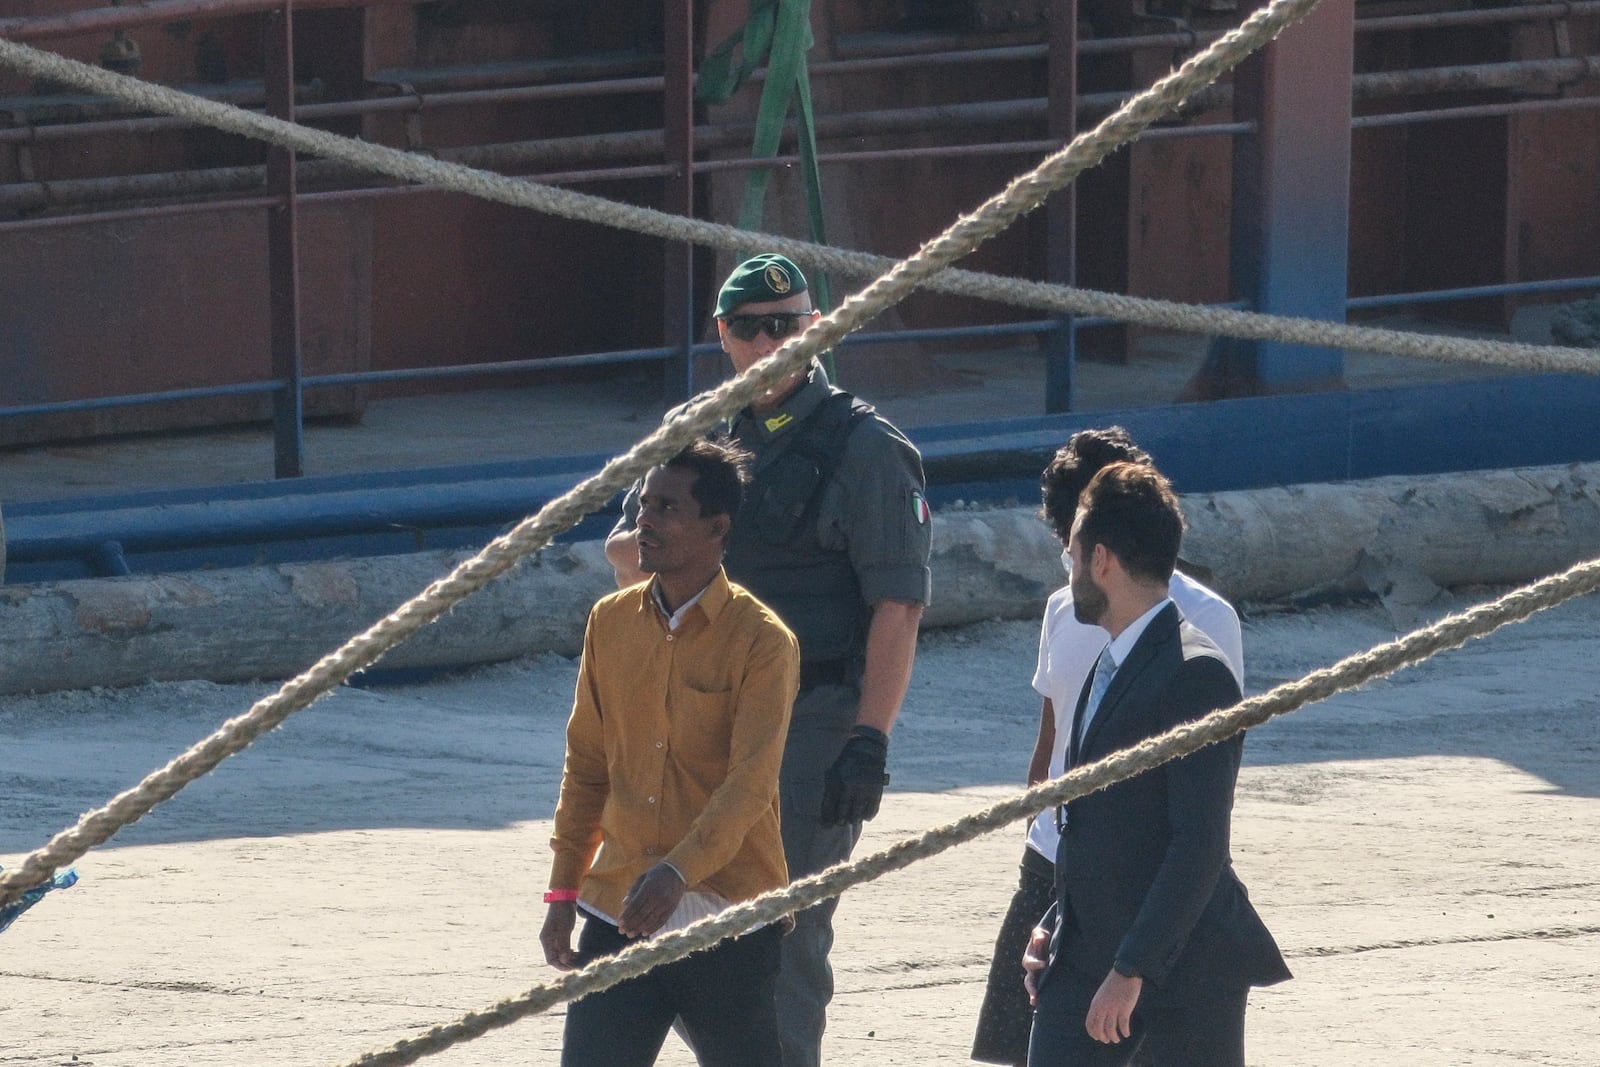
x=1423 y=849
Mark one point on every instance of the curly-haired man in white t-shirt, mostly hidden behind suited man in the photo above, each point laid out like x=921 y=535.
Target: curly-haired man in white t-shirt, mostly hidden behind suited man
x=1066 y=653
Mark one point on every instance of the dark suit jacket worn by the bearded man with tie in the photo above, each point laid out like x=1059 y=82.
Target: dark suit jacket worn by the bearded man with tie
x=1143 y=873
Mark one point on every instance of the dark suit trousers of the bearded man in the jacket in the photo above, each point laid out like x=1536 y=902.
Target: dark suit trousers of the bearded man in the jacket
x=1204 y=1033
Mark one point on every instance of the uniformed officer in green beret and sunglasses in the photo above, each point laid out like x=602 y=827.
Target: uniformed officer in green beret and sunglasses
x=834 y=537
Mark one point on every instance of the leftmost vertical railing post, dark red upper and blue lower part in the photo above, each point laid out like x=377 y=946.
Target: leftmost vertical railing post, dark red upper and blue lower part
x=282 y=255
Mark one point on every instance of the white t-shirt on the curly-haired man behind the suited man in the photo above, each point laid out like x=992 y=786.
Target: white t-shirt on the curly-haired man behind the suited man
x=1070 y=649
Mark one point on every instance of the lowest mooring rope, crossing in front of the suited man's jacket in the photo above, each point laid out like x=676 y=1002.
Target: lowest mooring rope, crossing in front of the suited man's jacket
x=1348 y=674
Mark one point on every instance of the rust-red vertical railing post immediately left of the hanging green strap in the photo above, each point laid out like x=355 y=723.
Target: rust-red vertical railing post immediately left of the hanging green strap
x=679 y=194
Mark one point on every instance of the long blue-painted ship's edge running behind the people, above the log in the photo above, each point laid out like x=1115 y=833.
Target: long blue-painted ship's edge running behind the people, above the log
x=1206 y=447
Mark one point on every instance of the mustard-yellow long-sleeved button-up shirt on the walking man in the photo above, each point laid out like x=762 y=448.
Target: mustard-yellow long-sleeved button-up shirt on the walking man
x=674 y=748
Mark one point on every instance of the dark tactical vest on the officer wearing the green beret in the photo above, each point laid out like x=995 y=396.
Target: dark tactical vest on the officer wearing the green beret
x=774 y=548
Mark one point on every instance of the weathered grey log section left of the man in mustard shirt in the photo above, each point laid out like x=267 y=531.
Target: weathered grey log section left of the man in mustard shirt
x=276 y=621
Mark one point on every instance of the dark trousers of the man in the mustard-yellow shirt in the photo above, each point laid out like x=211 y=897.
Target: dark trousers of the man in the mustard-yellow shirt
x=724 y=996
